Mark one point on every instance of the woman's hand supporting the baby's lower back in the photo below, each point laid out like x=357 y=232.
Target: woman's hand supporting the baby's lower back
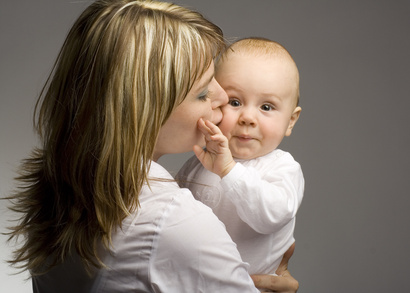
x=284 y=282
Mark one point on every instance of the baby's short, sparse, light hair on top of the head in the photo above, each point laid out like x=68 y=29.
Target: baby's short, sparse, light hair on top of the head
x=264 y=47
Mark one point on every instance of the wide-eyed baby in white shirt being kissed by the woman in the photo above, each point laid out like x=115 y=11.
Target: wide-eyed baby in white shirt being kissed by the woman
x=255 y=189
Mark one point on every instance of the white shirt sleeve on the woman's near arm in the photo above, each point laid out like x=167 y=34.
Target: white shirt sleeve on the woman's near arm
x=194 y=253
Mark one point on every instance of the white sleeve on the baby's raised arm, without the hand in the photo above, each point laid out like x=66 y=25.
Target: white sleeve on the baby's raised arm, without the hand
x=266 y=200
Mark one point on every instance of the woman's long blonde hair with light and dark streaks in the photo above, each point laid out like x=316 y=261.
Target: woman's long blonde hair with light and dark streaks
x=123 y=68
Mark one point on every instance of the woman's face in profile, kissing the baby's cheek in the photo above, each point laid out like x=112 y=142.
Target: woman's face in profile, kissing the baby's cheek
x=180 y=133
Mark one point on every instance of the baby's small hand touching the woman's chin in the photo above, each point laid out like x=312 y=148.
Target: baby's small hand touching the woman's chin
x=217 y=157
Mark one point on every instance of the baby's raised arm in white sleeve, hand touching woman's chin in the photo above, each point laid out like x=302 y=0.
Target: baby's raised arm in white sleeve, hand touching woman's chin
x=266 y=200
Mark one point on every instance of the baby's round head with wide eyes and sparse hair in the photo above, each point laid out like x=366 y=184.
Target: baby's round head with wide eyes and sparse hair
x=262 y=83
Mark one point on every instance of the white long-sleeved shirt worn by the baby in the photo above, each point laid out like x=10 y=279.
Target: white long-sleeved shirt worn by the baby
x=257 y=201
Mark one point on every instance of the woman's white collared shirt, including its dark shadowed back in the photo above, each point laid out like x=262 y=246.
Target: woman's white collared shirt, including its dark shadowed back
x=173 y=243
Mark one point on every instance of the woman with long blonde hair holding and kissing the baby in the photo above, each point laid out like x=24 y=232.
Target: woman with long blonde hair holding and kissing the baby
x=98 y=213
